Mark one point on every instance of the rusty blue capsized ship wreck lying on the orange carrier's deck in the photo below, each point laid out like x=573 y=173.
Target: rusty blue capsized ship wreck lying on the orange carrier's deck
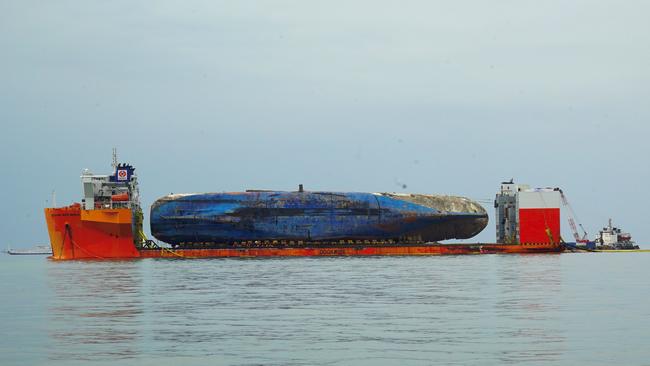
x=319 y=217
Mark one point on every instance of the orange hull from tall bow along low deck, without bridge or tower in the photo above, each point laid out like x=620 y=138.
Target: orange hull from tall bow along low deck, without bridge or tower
x=107 y=234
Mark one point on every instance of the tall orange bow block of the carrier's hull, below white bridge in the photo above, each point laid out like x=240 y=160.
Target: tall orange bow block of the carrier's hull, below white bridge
x=90 y=234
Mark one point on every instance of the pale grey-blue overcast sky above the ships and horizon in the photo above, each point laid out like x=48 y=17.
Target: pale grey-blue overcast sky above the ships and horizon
x=445 y=97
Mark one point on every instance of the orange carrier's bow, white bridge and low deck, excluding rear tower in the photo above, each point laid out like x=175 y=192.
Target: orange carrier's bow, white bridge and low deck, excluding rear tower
x=107 y=224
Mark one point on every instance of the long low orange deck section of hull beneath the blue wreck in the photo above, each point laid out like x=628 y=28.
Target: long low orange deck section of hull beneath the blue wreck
x=392 y=250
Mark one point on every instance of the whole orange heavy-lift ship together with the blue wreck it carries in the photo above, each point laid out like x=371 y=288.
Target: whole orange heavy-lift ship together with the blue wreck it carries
x=107 y=223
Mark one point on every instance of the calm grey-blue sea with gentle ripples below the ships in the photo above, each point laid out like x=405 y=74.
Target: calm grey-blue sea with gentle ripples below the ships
x=568 y=309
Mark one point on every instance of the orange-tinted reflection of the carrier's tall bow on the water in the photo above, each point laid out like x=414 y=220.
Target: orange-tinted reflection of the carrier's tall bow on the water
x=95 y=309
